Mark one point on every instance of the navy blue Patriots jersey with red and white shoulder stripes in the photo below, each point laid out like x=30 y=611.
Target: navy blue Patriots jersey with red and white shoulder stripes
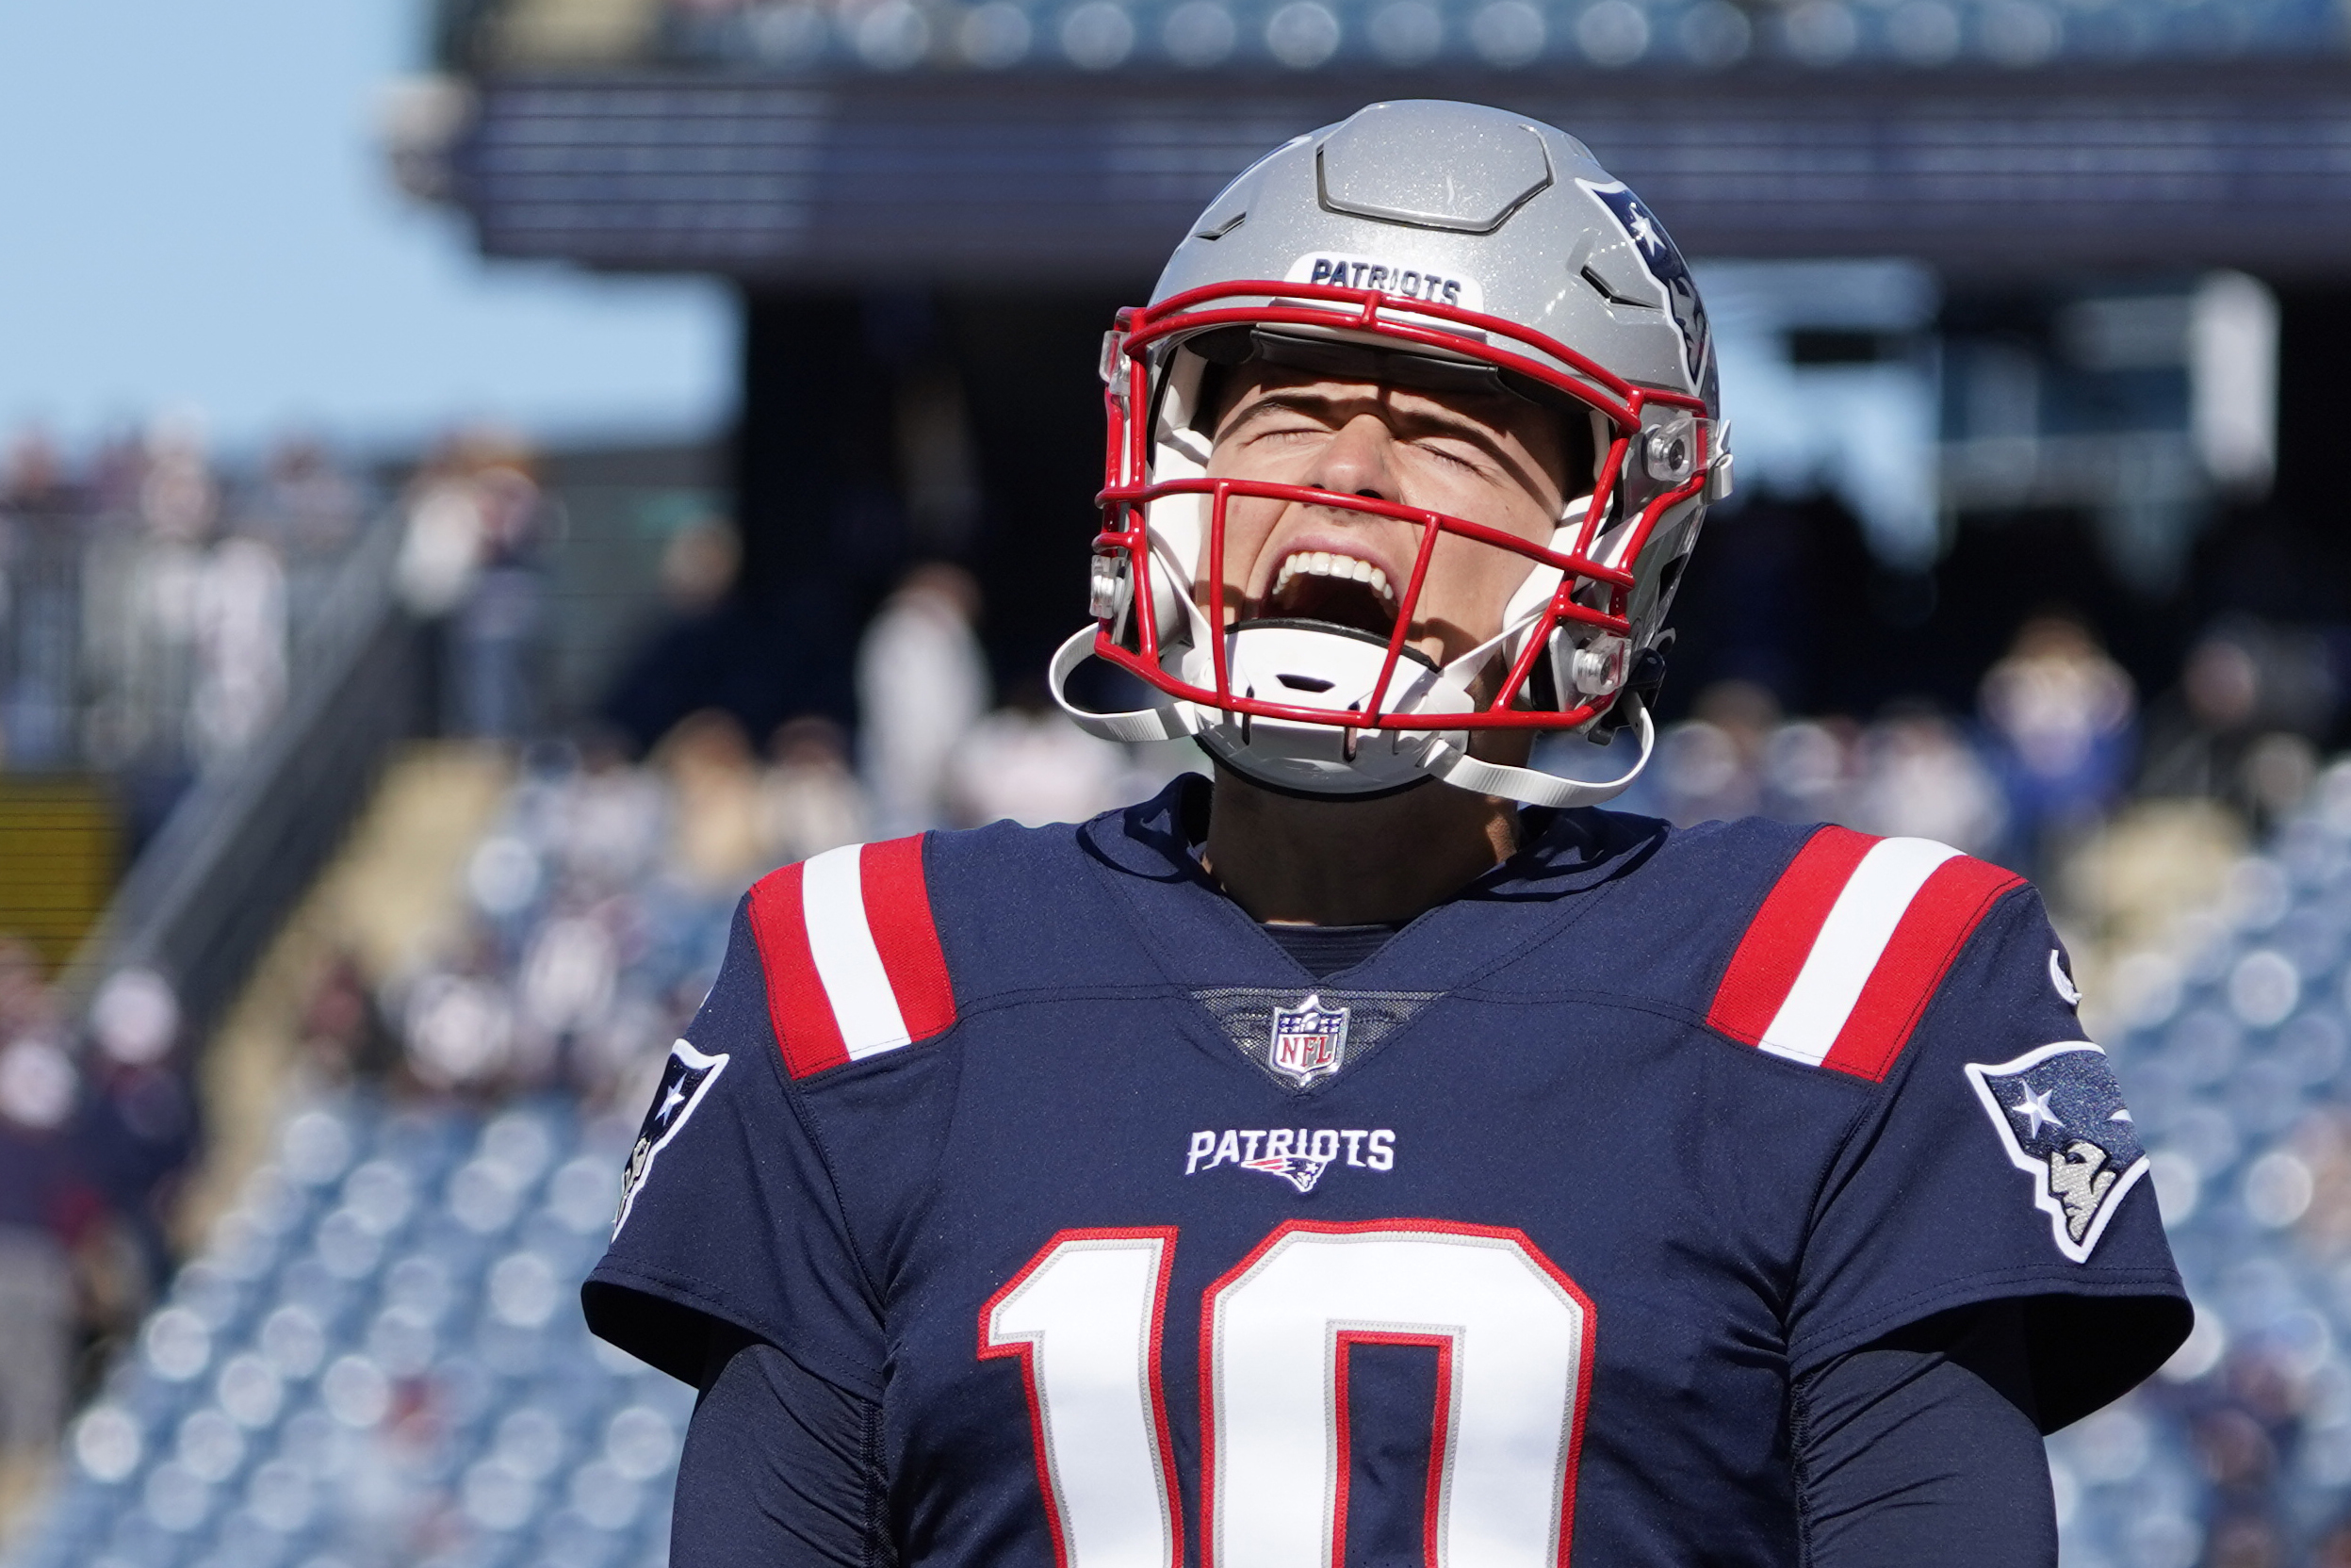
x=1501 y=1247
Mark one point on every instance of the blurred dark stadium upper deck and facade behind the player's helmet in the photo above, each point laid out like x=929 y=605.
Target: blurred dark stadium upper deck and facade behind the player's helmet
x=918 y=196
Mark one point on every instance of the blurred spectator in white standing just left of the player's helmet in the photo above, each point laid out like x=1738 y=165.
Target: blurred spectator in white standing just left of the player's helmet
x=923 y=685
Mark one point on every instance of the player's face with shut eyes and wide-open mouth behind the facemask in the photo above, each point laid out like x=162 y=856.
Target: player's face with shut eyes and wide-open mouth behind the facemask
x=1485 y=457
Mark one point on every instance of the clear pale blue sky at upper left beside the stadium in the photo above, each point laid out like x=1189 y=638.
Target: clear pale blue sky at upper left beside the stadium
x=196 y=217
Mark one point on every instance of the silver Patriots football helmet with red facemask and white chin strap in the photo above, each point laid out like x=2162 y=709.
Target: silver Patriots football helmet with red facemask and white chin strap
x=1428 y=246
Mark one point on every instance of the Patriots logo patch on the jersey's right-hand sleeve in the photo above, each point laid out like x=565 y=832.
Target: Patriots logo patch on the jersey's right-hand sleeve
x=2063 y=1123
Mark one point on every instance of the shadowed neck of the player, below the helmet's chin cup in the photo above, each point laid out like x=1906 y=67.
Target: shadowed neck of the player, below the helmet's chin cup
x=1351 y=864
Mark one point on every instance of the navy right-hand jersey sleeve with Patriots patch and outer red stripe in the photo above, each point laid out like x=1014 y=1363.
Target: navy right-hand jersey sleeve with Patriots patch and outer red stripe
x=1997 y=1160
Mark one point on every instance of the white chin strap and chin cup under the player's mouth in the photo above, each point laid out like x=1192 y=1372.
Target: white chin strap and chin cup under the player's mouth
x=1322 y=758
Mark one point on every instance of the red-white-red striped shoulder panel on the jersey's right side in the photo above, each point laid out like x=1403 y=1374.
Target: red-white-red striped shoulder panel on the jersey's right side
x=1844 y=949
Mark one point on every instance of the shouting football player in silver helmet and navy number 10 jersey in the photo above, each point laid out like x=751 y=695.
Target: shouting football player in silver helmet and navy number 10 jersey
x=1381 y=1153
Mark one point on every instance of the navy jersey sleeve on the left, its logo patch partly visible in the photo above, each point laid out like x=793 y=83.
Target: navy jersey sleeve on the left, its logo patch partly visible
x=730 y=1209
